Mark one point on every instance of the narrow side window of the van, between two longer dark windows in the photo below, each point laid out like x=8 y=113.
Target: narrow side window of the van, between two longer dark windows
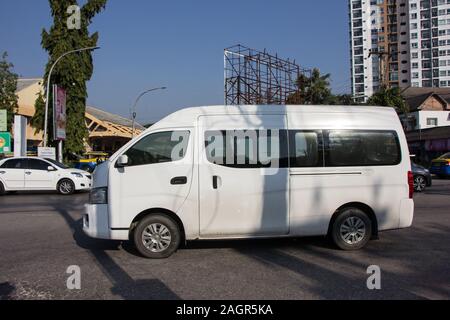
x=306 y=149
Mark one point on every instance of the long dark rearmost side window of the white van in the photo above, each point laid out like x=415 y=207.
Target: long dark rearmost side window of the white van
x=362 y=148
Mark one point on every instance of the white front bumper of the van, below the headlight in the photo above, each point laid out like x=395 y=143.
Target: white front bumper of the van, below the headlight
x=96 y=223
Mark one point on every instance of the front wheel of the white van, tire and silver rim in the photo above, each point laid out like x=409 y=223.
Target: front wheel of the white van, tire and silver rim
x=161 y=227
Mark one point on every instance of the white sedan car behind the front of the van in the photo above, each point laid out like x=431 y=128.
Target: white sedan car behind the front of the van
x=30 y=173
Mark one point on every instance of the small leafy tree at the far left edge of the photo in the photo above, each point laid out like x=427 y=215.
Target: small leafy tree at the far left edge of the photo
x=8 y=87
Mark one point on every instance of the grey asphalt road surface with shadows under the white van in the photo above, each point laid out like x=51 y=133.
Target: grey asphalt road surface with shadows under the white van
x=41 y=236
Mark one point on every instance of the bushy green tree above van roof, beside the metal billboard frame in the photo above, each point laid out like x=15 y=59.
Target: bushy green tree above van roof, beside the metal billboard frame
x=311 y=90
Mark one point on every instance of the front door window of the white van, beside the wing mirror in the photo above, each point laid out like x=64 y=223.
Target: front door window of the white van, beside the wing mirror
x=159 y=147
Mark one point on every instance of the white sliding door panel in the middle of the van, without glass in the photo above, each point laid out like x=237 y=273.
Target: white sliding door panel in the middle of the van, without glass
x=247 y=201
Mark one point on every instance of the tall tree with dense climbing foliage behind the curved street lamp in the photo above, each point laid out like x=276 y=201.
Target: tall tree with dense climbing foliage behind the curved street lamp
x=72 y=71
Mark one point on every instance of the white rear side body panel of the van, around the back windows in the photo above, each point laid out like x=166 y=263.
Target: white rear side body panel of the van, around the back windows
x=317 y=192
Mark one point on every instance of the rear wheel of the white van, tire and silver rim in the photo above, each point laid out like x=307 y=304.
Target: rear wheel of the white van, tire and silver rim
x=352 y=229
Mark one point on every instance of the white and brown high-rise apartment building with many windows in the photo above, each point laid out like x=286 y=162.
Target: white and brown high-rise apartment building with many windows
x=399 y=43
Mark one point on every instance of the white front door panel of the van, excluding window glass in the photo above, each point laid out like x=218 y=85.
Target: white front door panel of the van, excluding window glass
x=136 y=189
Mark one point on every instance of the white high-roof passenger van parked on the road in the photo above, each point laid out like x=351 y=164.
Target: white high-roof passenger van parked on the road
x=234 y=172
